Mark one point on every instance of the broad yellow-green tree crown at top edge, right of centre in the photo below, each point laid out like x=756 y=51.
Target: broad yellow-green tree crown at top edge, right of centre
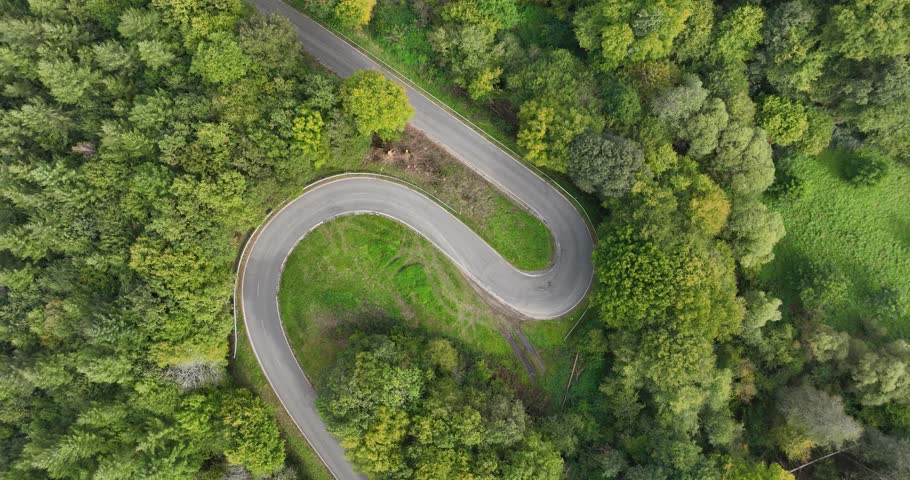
x=624 y=33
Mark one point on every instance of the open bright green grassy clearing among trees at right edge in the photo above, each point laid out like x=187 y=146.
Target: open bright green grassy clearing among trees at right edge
x=864 y=232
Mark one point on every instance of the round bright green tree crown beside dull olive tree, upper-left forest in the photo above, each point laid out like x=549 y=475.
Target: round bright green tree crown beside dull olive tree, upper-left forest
x=218 y=59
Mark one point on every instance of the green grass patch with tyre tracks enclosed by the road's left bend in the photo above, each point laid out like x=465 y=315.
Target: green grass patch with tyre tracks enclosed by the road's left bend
x=365 y=268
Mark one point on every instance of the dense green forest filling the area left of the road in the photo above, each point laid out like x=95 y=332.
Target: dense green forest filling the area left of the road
x=139 y=143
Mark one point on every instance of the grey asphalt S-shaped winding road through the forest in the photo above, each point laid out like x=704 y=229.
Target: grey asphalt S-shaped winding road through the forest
x=535 y=295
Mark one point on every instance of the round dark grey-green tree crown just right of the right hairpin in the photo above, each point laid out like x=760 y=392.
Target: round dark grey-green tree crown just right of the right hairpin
x=605 y=164
